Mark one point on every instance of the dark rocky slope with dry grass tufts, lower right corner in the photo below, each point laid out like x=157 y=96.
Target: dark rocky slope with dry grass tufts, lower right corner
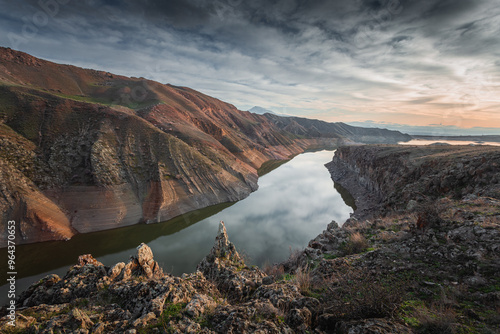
x=391 y=275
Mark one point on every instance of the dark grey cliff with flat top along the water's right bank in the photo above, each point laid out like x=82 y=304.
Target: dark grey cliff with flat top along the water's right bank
x=401 y=177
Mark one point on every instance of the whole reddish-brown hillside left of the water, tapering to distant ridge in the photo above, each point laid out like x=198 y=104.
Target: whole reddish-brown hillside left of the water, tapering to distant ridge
x=84 y=150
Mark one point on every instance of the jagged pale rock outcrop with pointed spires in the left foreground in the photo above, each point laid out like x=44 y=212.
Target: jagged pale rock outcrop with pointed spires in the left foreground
x=93 y=298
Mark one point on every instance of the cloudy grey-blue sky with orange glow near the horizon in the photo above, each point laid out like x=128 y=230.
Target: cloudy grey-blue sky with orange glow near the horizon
x=428 y=63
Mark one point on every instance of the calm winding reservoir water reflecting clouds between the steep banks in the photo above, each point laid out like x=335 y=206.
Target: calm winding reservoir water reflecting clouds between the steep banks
x=294 y=203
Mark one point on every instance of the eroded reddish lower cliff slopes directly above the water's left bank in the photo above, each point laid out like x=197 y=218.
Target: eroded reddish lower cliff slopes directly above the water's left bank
x=108 y=170
